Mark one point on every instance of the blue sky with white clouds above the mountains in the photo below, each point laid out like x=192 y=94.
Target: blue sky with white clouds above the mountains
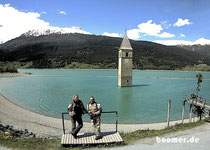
x=169 y=21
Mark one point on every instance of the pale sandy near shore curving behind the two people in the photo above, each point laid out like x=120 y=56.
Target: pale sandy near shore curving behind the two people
x=45 y=126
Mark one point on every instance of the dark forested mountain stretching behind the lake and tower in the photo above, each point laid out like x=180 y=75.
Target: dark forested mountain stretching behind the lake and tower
x=56 y=50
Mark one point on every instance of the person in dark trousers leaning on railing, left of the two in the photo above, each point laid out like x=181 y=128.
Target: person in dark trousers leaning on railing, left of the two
x=76 y=109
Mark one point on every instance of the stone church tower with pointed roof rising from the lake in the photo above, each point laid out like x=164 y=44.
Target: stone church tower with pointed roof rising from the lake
x=125 y=63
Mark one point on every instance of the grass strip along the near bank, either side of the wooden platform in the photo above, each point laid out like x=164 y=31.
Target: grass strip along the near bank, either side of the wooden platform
x=54 y=144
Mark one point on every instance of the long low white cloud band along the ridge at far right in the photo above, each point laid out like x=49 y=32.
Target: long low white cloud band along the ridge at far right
x=201 y=41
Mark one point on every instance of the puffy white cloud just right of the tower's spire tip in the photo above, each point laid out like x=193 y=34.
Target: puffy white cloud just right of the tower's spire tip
x=148 y=29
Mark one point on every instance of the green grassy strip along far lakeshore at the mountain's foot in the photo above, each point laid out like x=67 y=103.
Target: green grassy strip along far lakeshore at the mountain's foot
x=12 y=67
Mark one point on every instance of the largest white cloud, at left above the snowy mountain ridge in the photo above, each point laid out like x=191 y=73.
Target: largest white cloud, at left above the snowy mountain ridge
x=13 y=23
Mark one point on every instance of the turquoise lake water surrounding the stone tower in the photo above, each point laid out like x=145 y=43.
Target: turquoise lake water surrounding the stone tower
x=145 y=102
